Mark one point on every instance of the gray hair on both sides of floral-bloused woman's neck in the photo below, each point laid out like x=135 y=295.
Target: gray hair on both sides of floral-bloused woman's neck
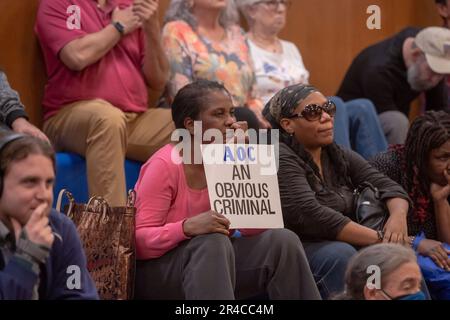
x=181 y=10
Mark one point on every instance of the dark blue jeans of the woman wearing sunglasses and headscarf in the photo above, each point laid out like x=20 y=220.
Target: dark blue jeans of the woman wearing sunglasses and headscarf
x=328 y=261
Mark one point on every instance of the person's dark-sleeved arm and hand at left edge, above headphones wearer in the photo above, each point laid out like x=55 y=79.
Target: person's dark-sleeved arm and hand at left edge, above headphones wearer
x=12 y=111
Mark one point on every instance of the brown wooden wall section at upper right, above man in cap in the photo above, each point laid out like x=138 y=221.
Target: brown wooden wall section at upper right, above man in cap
x=330 y=33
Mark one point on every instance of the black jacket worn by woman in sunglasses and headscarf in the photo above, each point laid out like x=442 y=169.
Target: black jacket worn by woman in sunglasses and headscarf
x=318 y=209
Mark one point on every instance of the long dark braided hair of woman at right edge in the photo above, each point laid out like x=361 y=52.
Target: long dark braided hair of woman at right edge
x=427 y=132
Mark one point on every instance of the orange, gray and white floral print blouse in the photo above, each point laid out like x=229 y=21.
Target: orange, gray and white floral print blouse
x=192 y=57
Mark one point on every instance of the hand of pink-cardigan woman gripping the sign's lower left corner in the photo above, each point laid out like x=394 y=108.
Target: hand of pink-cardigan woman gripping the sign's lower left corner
x=205 y=223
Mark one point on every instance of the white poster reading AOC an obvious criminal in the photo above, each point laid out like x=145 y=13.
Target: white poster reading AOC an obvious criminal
x=243 y=184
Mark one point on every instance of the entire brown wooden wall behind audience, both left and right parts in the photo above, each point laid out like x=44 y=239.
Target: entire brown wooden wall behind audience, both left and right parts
x=329 y=34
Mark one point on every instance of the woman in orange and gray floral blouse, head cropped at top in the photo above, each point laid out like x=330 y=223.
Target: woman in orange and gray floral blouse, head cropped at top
x=203 y=40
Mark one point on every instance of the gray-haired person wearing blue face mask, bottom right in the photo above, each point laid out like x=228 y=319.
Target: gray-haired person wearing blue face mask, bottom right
x=396 y=269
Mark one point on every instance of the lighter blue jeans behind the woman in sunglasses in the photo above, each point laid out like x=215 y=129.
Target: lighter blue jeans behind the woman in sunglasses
x=357 y=127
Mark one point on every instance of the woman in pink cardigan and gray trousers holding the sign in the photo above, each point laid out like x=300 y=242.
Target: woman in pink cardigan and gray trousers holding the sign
x=184 y=248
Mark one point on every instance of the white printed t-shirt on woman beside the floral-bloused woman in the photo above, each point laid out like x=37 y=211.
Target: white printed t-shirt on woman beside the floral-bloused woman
x=275 y=71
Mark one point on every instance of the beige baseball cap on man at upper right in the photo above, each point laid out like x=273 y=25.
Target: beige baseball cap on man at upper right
x=435 y=43
